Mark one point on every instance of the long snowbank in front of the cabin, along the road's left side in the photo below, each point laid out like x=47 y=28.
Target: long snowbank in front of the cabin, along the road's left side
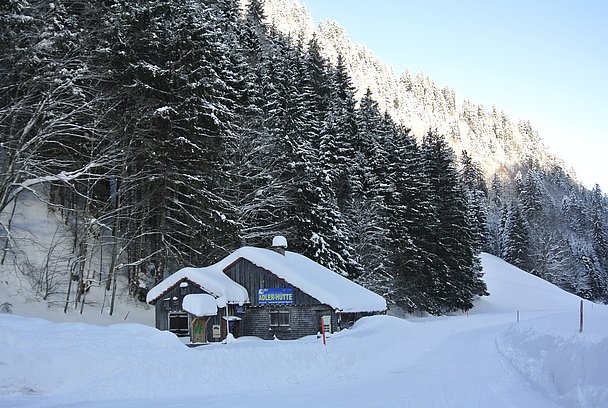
x=76 y=362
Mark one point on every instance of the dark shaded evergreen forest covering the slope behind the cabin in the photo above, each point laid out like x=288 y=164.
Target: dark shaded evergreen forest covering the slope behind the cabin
x=173 y=132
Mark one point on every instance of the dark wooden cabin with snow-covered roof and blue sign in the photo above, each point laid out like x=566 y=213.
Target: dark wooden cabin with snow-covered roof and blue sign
x=267 y=293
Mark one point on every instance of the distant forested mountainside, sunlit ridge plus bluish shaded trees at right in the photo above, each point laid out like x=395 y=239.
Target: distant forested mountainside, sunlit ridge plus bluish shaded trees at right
x=563 y=238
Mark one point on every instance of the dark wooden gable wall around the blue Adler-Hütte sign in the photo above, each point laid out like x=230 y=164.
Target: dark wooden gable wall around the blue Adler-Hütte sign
x=304 y=313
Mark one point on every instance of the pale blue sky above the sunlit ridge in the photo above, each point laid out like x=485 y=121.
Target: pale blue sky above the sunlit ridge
x=541 y=60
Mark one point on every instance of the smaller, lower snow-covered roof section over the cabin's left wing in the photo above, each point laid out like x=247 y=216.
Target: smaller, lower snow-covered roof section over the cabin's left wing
x=211 y=279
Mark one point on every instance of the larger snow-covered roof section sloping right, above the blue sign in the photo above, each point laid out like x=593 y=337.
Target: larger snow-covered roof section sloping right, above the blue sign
x=312 y=278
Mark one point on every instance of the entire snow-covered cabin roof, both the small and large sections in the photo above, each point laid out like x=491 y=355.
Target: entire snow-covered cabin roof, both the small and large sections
x=310 y=277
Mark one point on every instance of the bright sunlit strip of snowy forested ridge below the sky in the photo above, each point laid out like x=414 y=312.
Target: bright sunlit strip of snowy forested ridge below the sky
x=489 y=135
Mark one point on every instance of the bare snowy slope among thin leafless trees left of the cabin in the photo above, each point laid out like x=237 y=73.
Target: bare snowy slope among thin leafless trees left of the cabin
x=34 y=275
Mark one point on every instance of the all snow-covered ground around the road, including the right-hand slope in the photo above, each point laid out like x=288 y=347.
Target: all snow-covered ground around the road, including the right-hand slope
x=483 y=359
